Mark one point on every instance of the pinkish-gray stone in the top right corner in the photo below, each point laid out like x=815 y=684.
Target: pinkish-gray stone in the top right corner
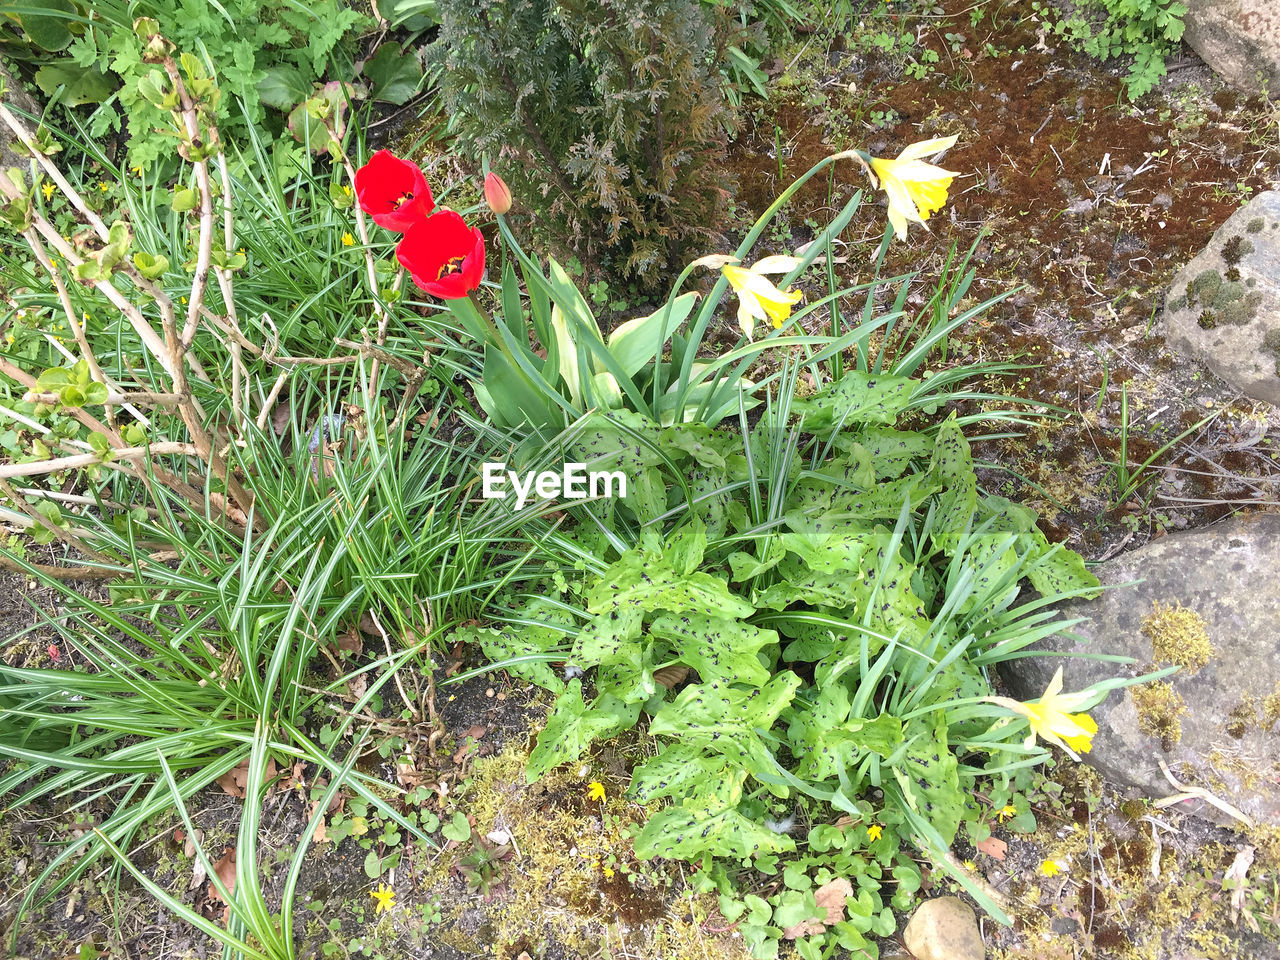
x=1240 y=39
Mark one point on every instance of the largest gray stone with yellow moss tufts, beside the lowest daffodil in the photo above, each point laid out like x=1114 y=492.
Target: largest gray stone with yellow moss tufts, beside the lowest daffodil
x=1229 y=738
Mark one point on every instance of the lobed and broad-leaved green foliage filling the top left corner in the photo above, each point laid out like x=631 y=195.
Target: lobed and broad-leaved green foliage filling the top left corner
x=267 y=56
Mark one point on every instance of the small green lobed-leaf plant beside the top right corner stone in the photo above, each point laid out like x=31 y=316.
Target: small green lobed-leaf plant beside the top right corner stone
x=1144 y=30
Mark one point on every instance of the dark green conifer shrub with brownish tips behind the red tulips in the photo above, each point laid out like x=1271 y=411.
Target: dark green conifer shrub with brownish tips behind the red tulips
x=606 y=118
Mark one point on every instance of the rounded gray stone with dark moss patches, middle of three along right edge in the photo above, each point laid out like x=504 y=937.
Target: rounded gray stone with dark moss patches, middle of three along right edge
x=1224 y=308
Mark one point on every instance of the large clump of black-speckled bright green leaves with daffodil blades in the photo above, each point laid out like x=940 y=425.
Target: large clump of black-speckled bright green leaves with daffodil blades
x=838 y=595
